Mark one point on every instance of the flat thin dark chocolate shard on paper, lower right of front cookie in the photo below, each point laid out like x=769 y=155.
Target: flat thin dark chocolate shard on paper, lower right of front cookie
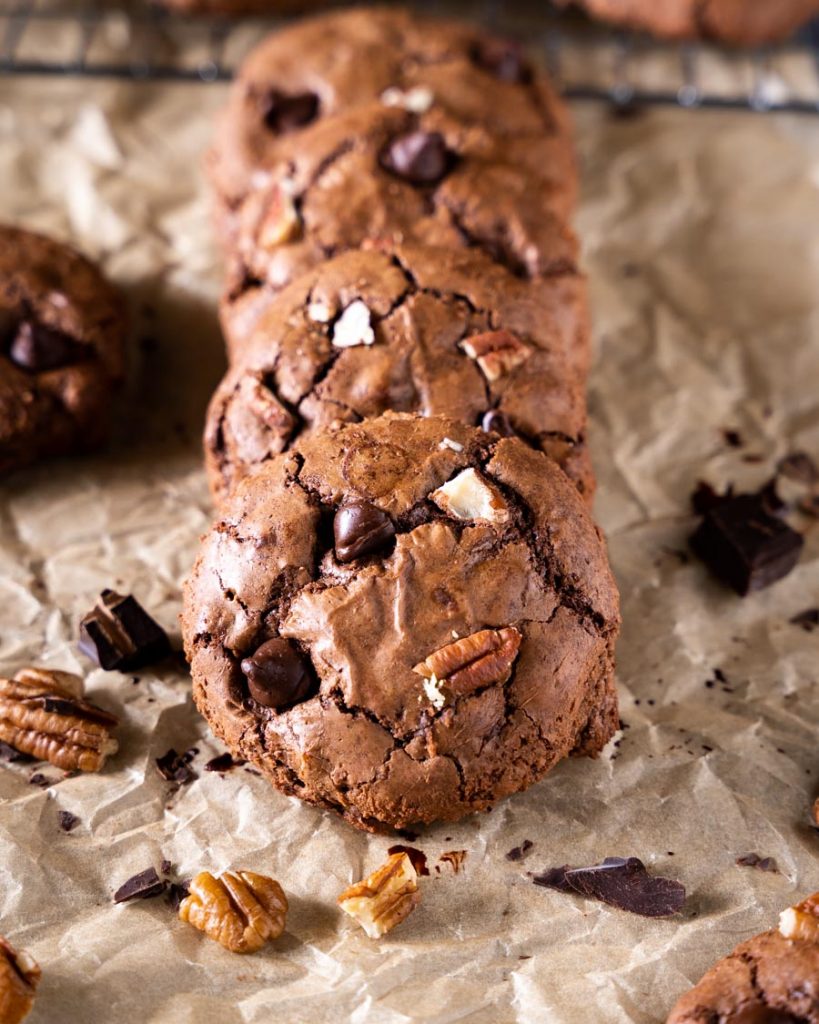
x=621 y=882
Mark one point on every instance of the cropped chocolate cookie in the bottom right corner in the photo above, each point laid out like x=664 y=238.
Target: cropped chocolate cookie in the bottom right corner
x=767 y=980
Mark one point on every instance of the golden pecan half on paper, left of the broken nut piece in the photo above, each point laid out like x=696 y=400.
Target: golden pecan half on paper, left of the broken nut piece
x=240 y=910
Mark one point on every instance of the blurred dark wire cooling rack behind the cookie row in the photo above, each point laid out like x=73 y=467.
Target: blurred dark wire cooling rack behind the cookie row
x=138 y=41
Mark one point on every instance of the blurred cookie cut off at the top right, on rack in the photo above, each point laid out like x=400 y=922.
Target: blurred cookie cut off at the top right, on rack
x=745 y=23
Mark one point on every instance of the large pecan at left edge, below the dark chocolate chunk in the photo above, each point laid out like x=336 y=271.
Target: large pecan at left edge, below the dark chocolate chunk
x=44 y=714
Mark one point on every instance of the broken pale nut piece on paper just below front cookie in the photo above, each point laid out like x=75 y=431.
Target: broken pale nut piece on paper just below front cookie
x=384 y=899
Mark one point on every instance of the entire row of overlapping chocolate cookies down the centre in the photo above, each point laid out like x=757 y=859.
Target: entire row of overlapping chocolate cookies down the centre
x=406 y=612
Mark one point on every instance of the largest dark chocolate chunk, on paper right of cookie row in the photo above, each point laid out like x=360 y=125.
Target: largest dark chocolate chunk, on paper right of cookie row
x=745 y=545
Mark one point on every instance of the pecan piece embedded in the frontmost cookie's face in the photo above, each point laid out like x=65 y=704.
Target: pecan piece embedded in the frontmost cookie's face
x=473 y=662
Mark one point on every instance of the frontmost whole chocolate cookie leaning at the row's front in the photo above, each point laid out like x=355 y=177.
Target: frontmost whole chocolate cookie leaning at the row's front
x=404 y=621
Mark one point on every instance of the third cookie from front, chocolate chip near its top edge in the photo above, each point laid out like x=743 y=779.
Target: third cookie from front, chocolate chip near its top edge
x=380 y=176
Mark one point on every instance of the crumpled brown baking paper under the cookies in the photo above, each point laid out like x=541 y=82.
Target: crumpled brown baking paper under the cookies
x=701 y=235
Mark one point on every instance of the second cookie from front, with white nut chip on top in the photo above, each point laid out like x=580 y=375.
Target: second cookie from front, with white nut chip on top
x=420 y=330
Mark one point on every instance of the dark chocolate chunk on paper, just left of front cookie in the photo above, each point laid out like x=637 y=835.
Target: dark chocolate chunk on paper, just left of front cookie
x=120 y=635
